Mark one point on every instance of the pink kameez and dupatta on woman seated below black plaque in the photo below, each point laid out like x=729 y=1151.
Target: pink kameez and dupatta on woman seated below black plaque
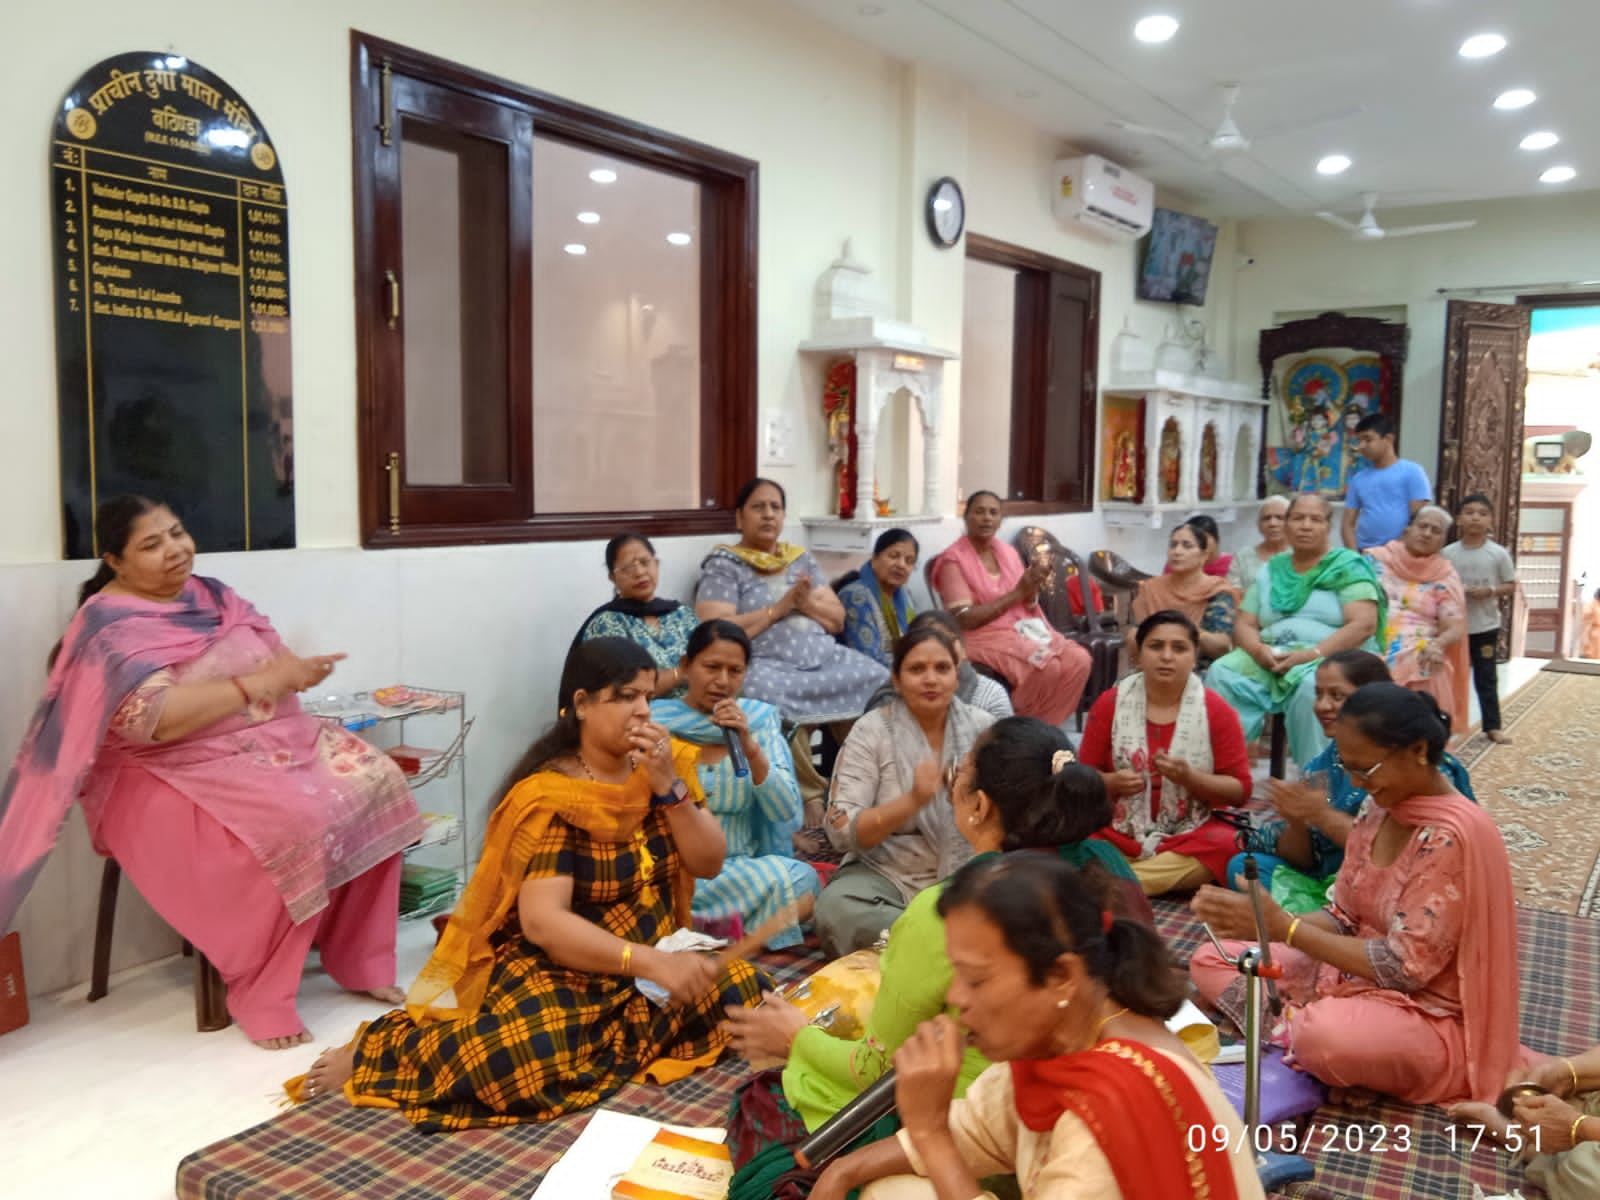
x=316 y=806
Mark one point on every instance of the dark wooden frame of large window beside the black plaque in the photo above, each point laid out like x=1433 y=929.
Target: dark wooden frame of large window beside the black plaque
x=729 y=247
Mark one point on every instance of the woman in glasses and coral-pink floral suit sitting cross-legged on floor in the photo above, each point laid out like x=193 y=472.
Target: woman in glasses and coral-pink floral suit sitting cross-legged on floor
x=1407 y=983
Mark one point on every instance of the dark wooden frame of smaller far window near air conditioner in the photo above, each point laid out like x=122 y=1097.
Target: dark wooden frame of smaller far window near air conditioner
x=1031 y=350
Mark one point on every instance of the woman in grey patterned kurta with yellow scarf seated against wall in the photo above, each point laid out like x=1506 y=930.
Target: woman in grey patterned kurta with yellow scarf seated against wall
x=778 y=594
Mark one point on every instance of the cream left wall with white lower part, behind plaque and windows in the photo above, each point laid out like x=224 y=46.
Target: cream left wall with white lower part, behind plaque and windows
x=849 y=143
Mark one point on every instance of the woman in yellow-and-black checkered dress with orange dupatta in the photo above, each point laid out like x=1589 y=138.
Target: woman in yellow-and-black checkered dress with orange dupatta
x=529 y=1007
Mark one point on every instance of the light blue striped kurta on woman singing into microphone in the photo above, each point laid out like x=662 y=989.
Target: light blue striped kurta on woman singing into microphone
x=761 y=874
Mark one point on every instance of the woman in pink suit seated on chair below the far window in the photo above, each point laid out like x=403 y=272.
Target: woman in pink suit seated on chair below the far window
x=985 y=585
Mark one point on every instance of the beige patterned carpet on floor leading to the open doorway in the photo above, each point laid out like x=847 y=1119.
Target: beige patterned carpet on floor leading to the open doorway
x=1545 y=791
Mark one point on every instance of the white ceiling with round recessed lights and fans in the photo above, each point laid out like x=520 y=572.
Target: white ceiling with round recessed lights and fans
x=1428 y=132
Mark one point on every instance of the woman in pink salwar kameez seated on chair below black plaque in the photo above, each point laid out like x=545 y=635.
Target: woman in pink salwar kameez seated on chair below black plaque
x=252 y=828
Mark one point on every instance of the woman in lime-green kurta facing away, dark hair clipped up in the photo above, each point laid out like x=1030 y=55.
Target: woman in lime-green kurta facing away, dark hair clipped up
x=1020 y=788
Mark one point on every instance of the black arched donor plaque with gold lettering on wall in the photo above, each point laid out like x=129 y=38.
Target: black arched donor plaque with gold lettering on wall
x=172 y=252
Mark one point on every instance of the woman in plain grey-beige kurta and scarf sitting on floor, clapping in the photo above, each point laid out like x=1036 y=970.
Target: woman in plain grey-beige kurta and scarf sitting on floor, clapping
x=890 y=802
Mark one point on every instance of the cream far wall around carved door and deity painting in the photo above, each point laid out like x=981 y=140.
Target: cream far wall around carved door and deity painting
x=1310 y=266
